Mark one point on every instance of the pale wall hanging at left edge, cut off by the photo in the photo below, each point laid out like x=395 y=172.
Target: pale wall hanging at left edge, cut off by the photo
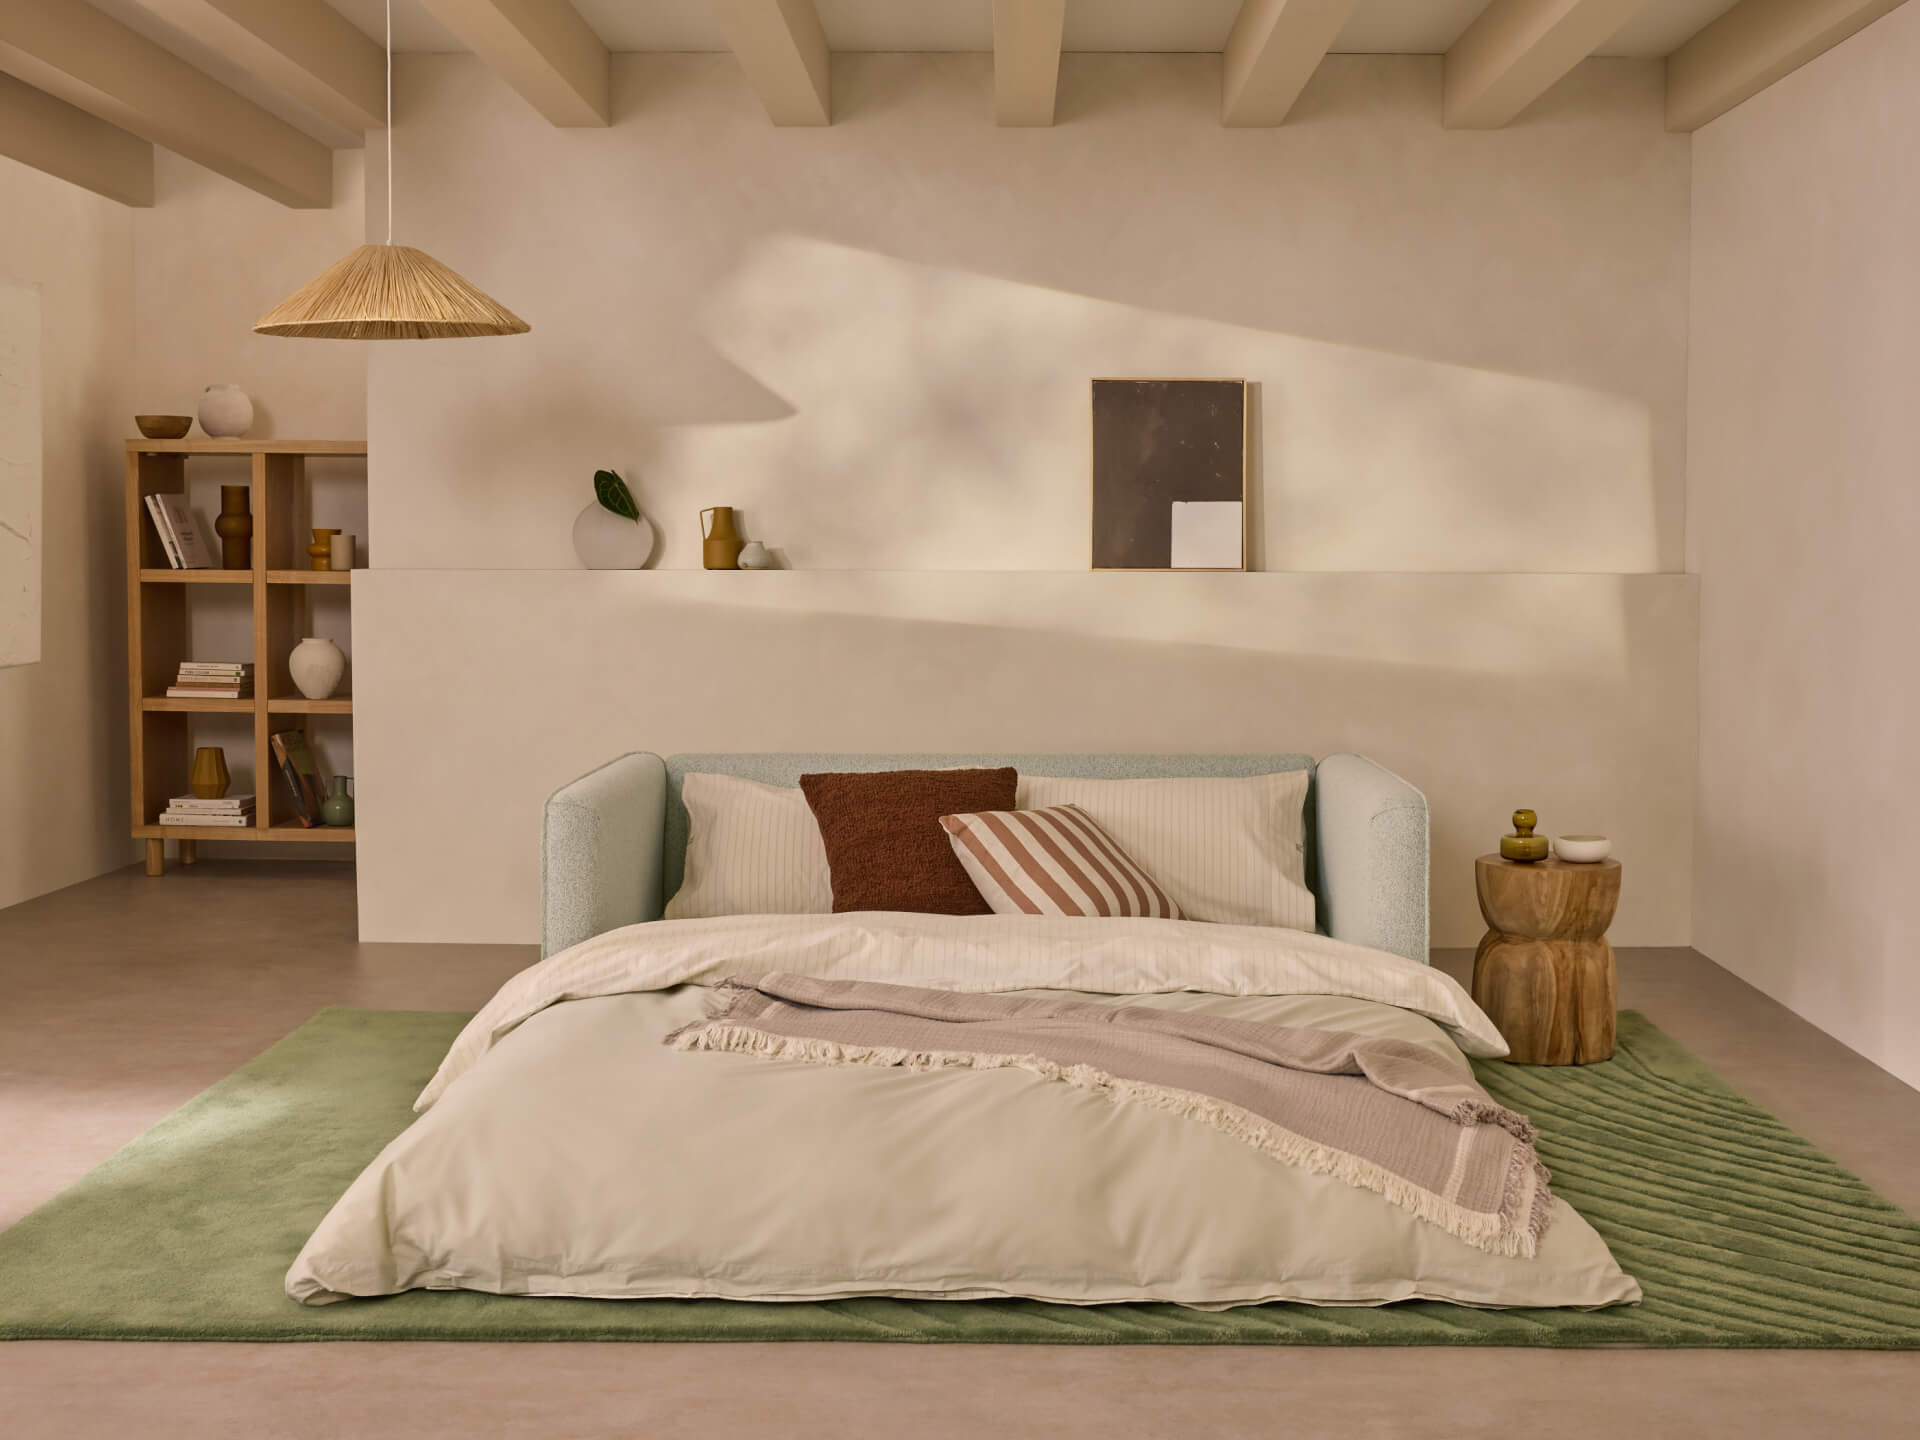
x=20 y=475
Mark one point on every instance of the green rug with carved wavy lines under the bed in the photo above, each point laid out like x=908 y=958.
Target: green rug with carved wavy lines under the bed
x=1740 y=1234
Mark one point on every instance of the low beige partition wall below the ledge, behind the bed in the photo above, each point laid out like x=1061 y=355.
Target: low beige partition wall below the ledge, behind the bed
x=479 y=692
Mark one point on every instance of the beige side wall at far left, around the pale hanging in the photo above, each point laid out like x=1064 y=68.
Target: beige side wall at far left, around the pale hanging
x=64 y=719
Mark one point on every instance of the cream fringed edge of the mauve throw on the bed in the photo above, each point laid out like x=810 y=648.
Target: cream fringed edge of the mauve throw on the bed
x=1506 y=1234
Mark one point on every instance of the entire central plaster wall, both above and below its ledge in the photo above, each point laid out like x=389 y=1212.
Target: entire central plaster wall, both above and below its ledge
x=876 y=341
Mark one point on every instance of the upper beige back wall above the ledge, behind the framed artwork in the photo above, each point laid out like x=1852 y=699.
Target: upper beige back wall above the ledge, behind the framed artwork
x=876 y=337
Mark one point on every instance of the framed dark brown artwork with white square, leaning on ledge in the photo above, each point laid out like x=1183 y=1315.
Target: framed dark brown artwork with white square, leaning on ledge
x=1170 y=475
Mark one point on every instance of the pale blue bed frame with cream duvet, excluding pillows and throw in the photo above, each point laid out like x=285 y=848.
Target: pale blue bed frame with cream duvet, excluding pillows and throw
x=567 y=1149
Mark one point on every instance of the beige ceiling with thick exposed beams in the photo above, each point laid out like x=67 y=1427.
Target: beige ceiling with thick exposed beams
x=264 y=89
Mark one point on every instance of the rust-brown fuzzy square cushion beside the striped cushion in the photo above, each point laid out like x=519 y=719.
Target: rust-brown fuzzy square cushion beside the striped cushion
x=884 y=836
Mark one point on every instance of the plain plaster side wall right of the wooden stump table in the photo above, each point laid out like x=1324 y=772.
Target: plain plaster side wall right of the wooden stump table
x=1804 y=525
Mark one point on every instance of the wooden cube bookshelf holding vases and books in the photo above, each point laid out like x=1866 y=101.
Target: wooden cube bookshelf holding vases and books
x=277 y=587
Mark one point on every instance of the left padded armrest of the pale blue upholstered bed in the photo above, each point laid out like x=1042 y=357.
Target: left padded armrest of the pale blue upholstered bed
x=600 y=852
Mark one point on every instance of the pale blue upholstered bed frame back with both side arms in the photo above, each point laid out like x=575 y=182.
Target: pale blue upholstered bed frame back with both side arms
x=615 y=842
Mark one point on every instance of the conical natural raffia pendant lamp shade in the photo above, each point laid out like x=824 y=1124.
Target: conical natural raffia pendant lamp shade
x=391 y=293
